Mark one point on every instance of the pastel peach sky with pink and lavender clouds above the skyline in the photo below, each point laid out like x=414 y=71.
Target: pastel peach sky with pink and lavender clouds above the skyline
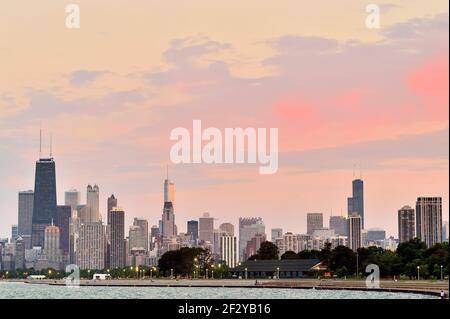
x=340 y=94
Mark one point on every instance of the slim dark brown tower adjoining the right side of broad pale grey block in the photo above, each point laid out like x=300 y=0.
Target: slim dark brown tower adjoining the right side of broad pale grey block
x=116 y=221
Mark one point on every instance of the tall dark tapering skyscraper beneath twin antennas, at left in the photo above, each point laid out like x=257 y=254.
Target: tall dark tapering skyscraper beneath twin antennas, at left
x=44 y=204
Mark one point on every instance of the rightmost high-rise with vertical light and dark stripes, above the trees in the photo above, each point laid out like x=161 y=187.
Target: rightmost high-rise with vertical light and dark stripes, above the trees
x=429 y=220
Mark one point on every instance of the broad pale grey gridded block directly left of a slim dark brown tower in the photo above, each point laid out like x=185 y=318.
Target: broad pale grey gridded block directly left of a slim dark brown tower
x=90 y=250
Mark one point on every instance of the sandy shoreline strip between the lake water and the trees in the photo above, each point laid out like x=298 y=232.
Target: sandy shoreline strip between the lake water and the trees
x=425 y=288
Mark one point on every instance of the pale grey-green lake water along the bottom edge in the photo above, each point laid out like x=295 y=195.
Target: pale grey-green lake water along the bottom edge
x=13 y=290
